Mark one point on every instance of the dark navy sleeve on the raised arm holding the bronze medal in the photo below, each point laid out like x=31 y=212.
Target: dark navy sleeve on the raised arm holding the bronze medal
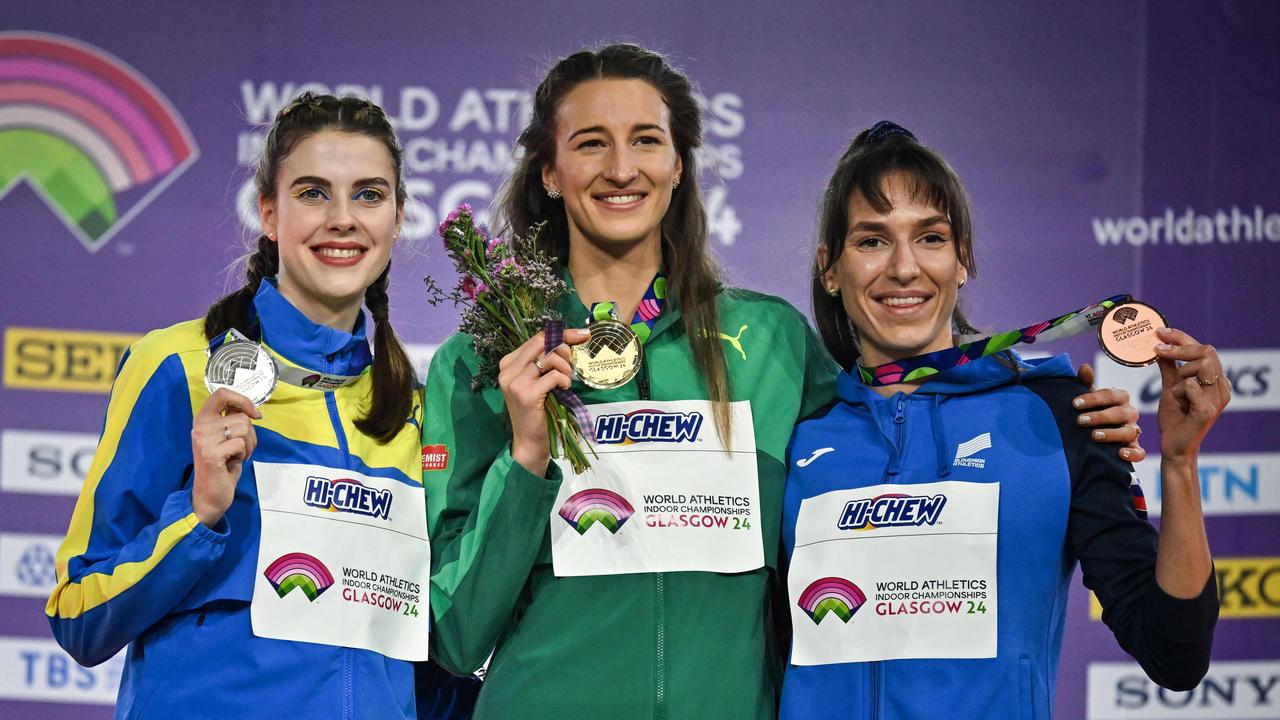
x=1171 y=639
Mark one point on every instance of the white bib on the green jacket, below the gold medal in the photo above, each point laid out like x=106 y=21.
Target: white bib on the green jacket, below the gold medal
x=662 y=496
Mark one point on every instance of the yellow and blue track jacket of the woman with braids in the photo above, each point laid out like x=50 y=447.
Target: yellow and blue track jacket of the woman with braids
x=139 y=569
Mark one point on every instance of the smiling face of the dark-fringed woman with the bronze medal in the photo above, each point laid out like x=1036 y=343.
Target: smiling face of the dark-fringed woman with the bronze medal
x=898 y=275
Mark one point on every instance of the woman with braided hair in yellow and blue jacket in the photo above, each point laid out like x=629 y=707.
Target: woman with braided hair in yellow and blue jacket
x=213 y=527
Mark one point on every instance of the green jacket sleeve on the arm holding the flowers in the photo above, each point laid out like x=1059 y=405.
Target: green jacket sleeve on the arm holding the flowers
x=486 y=514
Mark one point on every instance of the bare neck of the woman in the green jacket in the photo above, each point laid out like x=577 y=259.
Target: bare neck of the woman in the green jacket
x=621 y=276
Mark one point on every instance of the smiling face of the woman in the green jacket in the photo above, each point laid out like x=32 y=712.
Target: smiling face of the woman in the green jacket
x=615 y=163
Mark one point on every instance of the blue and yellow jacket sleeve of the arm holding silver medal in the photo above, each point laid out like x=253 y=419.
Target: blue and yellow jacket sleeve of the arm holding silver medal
x=134 y=548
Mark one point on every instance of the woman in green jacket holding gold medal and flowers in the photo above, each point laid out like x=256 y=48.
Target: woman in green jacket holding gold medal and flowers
x=647 y=586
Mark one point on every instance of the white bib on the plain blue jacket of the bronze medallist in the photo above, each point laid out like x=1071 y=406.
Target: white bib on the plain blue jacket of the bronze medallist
x=895 y=572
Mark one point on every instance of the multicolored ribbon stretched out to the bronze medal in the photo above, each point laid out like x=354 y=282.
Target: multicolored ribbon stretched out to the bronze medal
x=972 y=348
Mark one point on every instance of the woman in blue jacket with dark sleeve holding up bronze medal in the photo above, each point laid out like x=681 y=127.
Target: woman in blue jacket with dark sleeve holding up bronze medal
x=932 y=526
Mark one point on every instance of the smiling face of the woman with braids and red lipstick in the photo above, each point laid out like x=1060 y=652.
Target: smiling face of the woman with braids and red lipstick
x=335 y=218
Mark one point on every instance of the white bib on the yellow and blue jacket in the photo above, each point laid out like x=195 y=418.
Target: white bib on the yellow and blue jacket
x=344 y=560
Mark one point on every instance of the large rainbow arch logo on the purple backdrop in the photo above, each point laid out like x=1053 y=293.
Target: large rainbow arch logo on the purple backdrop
x=90 y=134
